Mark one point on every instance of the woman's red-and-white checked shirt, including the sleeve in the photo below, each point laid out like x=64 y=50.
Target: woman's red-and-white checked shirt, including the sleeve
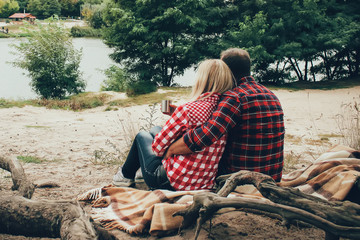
x=197 y=170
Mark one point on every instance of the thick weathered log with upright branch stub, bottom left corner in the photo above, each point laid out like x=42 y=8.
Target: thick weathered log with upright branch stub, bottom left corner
x=39 y=218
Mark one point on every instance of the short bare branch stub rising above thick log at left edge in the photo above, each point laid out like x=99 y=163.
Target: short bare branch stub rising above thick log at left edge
x=20 y=182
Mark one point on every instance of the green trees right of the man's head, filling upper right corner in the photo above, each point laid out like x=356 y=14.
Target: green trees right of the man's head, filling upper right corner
x=300 y=39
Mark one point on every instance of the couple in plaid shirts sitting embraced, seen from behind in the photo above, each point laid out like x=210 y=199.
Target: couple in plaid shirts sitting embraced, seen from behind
x=233 y=123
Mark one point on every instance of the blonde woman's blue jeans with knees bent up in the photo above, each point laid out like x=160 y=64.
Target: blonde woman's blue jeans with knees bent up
x=142 y=156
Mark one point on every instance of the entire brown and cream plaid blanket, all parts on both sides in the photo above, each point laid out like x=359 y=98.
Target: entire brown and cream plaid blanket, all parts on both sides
x=136 y=211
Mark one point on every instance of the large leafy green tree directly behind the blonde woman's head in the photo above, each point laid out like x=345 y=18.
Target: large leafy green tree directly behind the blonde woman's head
x=157 y=40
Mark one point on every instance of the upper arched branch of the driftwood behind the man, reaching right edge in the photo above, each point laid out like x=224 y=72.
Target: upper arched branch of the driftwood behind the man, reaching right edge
x=343 y=213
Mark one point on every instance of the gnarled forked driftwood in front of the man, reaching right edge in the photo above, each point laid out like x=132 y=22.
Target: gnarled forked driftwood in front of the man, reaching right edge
x=335 y=218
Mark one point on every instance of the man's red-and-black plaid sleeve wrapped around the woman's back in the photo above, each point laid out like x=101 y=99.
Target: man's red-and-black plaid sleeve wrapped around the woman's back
x=221 y=122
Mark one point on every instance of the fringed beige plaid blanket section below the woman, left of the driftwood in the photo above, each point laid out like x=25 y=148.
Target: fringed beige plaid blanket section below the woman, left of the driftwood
x=134 y=211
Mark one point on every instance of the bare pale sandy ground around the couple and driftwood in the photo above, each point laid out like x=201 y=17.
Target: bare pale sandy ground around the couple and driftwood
x=73 y=144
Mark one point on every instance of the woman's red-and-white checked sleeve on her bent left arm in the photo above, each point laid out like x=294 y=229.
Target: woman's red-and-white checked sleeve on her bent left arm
x=173 y=129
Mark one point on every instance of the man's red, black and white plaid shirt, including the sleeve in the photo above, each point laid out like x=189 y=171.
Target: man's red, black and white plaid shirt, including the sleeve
x=252 y=117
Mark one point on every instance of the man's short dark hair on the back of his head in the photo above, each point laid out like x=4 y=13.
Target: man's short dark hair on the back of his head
x=238 y=61
